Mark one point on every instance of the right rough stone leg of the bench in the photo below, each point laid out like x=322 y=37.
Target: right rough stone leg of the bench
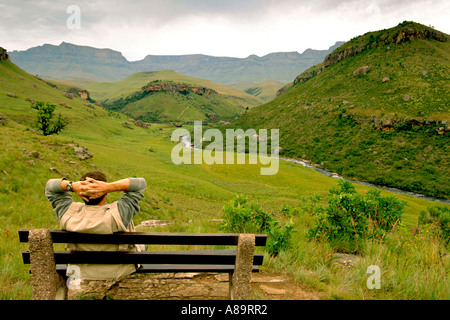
x=240 y=280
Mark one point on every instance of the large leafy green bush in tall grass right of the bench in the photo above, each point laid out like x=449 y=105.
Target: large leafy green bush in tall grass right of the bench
x=351 y=218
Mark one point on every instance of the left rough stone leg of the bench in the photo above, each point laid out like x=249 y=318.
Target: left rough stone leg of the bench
x=46 y=283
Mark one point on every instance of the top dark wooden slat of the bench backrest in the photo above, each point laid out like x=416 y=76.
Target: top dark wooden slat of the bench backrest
x=168 y=238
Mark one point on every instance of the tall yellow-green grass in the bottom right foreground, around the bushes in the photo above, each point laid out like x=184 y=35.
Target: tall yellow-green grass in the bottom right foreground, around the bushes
x=414 y=264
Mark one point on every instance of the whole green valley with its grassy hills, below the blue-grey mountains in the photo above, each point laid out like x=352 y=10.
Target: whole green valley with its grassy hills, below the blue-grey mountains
x=341 y=118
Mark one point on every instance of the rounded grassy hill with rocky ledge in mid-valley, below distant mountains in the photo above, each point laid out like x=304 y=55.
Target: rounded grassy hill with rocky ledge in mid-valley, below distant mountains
x=226 y=102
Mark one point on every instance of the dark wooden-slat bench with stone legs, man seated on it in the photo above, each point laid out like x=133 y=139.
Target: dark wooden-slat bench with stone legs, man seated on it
x=48 y=267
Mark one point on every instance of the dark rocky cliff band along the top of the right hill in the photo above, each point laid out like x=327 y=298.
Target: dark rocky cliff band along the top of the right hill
x=407 y=31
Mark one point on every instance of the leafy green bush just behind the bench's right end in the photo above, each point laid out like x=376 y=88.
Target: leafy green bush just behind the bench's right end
x=243 y=217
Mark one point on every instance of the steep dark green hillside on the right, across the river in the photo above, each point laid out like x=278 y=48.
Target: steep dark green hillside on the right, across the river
x=388 y=125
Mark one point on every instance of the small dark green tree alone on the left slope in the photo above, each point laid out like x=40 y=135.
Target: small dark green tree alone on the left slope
x=45 y=122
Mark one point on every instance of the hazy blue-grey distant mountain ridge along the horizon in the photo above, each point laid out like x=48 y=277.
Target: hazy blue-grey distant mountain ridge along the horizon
x=73 y=61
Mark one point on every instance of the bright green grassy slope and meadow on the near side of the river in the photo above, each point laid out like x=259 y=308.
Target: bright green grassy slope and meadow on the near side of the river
x=412 y=260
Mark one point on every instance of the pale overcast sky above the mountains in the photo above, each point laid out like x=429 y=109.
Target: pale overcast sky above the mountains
x=235 y=28
